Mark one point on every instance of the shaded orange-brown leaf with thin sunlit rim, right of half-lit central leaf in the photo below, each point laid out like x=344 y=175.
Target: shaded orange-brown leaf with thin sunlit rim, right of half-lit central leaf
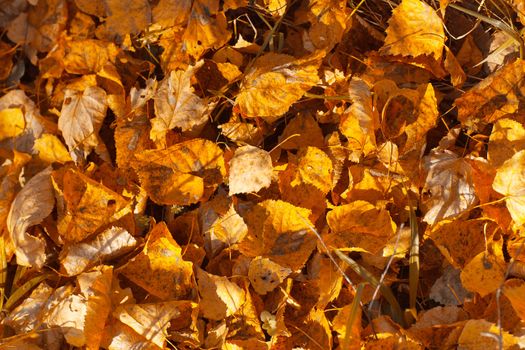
x=359 y=226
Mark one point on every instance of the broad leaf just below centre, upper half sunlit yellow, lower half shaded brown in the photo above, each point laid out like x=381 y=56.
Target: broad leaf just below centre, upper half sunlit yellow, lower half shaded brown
x=279 y=231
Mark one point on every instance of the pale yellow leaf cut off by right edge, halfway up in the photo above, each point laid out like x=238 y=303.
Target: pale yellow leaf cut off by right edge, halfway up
x=510 y=182
